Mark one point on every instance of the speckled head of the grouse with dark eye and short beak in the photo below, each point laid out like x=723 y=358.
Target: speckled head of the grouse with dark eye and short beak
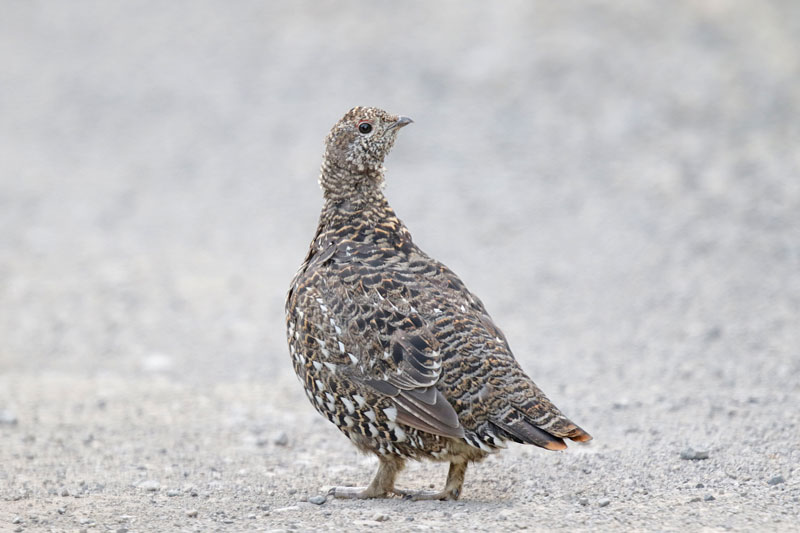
x=356 y=148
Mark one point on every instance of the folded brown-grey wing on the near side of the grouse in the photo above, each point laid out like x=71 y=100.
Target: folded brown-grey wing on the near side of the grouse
x=401 y=359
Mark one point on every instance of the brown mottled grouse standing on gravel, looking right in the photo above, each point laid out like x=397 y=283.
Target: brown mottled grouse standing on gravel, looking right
x=389 y=343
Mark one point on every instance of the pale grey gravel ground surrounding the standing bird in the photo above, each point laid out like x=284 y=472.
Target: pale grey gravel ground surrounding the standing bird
x=619 y=183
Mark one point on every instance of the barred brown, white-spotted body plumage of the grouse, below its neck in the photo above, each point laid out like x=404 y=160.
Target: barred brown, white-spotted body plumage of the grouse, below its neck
x=363 y=290
